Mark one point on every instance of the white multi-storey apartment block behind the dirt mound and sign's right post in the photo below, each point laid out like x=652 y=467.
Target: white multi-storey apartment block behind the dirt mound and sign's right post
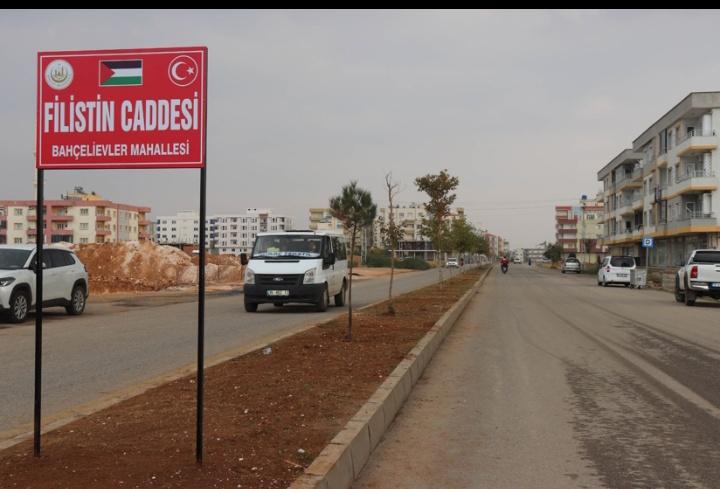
x=227 y=233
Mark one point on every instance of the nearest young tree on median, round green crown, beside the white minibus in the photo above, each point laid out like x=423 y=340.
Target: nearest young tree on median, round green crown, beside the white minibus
x=355 y=208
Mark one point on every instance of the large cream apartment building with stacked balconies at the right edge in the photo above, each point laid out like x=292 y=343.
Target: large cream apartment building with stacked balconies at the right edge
x=666 y=185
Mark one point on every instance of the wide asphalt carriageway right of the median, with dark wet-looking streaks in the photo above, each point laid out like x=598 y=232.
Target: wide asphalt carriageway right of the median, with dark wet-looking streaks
x=551 y=381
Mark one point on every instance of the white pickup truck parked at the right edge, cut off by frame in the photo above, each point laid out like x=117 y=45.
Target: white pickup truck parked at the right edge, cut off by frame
x=699 y=277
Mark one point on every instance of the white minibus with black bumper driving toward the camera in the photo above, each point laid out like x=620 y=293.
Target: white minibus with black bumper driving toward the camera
x=296 y=266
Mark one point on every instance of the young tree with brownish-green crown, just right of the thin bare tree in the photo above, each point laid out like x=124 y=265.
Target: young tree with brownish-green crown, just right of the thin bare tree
x=439 y=188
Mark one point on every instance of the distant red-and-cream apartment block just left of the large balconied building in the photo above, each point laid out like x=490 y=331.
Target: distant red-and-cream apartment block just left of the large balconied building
x=579 y=228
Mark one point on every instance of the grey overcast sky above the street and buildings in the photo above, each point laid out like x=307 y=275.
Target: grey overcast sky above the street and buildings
x=524 y=107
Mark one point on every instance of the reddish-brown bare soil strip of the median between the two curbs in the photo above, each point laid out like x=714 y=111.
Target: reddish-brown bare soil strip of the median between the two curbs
x=267 y=415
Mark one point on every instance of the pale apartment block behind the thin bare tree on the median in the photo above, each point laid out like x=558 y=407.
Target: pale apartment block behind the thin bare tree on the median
x=409 y=218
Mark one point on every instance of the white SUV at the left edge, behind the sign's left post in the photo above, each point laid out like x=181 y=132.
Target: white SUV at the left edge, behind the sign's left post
x=65 y=280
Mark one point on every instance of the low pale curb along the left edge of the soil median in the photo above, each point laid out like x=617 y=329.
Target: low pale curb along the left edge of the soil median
x=24 y=432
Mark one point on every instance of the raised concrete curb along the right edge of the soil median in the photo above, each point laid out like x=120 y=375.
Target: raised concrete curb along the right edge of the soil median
x=340 y=462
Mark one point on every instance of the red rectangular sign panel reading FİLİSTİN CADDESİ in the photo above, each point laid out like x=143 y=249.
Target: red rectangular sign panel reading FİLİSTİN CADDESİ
x=130 y=108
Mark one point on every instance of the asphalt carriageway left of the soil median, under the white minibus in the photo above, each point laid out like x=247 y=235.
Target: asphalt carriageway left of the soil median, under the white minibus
x=121 y=343
